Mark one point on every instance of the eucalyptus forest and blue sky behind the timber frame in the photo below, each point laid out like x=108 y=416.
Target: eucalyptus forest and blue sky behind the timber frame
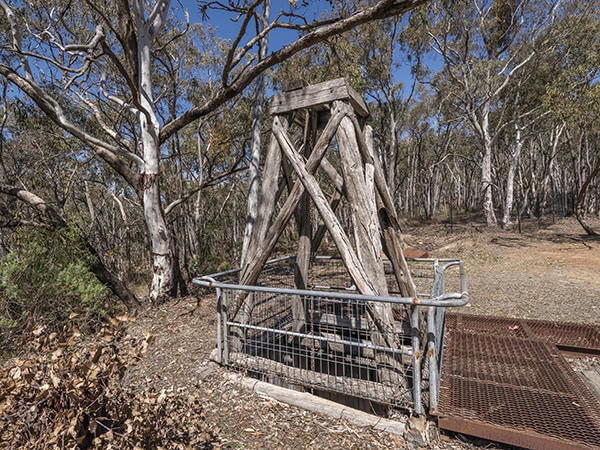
x=131 y=136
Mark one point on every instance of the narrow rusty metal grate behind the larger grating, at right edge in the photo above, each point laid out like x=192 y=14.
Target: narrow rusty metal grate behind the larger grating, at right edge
x=575 y=337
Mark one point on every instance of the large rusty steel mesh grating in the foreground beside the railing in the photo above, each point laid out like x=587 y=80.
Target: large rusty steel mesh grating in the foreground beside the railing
x=517 y=391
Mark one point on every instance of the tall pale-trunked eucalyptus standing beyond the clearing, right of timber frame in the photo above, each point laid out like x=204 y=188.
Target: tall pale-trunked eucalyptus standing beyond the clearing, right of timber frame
x=484 y=45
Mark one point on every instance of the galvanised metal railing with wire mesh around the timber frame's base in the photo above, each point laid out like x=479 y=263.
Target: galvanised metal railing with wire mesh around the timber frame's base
x=325 y=338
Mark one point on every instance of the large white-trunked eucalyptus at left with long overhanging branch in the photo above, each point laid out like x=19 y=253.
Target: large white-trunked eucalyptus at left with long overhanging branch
x=92 y=68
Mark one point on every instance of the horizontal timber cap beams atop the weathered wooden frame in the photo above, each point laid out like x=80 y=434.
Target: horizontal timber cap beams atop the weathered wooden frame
x=317 y=95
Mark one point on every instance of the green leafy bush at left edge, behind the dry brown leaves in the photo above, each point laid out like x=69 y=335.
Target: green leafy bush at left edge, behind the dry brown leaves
x=45 y=277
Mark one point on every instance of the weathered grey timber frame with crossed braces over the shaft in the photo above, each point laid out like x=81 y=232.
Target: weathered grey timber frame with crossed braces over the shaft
x=321 y=112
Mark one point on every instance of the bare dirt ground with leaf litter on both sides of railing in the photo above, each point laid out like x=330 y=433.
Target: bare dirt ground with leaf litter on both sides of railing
x=549 y=271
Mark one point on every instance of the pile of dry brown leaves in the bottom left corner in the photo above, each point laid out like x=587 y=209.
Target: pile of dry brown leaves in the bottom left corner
x=70 y=396
